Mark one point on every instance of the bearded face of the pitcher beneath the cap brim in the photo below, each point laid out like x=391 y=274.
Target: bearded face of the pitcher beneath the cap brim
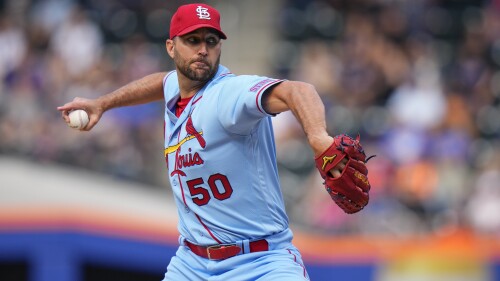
x=197 y=54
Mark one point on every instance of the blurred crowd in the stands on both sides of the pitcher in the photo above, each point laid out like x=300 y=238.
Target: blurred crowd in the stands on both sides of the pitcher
x=418 y=80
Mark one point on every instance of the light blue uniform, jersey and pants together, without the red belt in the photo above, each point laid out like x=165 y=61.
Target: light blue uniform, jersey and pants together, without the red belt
x=221 y=161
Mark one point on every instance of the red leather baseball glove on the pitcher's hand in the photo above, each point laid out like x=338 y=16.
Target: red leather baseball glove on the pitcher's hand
x=350 y=190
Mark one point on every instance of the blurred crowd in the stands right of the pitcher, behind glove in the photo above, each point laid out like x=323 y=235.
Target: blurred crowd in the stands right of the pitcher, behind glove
x=420 y=82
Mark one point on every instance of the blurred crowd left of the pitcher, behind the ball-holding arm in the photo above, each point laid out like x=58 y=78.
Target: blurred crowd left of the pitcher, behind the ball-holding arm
x=55 y=50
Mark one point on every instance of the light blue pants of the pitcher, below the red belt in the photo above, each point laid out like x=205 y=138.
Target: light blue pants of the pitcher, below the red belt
x=282 y=262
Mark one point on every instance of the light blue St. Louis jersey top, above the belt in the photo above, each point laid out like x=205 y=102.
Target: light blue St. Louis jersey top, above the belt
x=221 y=160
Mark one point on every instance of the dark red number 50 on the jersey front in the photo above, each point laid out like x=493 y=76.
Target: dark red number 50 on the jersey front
x=219 y=186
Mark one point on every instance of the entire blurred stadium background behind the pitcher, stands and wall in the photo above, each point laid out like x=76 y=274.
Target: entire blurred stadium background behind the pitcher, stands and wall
x=419 y=80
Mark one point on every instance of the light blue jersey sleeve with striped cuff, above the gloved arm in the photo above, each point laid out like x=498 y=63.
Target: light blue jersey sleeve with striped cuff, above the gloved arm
x=240 y=102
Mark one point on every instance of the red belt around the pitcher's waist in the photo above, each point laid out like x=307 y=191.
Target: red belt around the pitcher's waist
x=224 y=251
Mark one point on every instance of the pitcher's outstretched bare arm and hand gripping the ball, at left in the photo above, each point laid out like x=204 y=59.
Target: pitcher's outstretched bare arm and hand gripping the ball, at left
x=141 y=91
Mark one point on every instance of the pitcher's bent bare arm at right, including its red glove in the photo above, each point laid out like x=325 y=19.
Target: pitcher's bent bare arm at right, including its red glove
x=340 y=160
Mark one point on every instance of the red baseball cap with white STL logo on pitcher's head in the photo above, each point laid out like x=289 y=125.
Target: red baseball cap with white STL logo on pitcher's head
x=190 y=17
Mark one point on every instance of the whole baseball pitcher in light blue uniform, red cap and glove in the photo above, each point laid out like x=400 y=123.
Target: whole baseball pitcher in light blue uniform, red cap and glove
x=221 y=156
